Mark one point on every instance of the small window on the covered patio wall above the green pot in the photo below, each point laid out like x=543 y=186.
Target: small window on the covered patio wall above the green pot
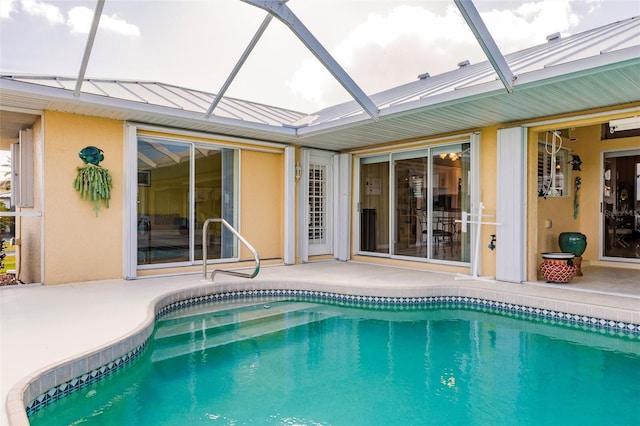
x=553 y=167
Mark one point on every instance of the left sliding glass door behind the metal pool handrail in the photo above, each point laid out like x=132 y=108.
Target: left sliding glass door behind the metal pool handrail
x=180 y=185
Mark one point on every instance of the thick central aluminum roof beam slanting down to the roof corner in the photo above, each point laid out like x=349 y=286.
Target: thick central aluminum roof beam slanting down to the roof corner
x=278 y=9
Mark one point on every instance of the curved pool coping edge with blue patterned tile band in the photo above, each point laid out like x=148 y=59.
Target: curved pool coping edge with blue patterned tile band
x=57 y=380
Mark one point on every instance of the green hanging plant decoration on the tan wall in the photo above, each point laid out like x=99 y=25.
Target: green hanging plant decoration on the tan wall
x=93 y=181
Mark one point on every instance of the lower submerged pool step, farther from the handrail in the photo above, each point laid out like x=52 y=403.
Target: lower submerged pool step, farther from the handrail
x=237 y=332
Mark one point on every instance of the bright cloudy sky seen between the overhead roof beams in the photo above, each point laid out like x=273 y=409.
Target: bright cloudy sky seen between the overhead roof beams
x=196 y=44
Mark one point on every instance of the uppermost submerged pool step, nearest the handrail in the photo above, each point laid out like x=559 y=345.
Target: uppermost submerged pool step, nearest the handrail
x=202 y=324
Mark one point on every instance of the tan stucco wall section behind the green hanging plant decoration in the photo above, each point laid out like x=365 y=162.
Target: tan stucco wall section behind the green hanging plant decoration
x=78 y=246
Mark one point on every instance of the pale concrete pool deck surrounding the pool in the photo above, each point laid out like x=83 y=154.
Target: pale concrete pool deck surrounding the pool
x=43 y=326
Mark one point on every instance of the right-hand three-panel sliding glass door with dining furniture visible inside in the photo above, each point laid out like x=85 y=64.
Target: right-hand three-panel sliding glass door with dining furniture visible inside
x=411 y=203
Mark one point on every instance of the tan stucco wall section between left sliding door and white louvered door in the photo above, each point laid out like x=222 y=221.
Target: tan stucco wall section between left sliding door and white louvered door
x=262 y=203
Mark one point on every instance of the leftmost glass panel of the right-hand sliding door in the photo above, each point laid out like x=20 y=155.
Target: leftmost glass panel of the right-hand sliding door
x=374 y=204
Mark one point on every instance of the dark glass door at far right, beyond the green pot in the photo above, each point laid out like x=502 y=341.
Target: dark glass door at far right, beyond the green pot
x=621 y=205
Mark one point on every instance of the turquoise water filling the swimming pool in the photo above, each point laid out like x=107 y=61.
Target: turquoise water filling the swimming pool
x=296 y=362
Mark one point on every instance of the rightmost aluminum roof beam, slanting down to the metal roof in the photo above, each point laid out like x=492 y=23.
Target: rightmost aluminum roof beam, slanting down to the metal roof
x=474 y=21
